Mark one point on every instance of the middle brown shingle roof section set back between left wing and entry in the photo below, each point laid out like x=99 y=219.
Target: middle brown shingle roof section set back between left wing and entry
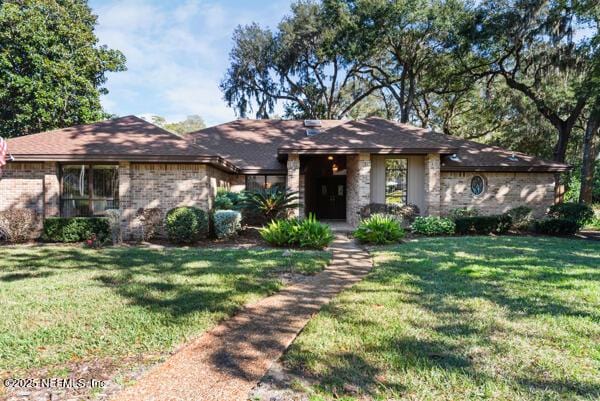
x=252 y=144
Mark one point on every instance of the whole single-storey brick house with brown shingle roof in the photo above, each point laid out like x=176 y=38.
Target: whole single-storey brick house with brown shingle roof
x=336 y=166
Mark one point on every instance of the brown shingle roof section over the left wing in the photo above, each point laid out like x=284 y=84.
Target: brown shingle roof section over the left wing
x=126 y=138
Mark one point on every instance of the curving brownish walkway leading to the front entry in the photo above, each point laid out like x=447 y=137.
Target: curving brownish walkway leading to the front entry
x=227 y=362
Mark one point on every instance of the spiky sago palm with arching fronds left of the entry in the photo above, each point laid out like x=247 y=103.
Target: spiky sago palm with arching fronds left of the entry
x=272 y=203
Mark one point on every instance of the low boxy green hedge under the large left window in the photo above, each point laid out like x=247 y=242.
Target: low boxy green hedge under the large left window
x=76 y=229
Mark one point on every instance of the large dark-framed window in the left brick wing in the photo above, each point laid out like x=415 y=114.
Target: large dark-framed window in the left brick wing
x=89 y=190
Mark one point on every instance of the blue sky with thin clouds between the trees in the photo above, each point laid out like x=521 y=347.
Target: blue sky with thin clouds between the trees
x=177 y=53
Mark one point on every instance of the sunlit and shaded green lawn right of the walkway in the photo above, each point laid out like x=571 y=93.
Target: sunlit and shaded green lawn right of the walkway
x=470 y=318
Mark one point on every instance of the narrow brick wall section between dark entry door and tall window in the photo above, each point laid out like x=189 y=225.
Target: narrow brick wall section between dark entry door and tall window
x=358 y=185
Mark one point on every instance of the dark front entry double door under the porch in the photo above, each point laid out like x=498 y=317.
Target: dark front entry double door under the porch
x=331 y=198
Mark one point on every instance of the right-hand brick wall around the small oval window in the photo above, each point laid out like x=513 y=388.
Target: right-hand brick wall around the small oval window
x=502 y=191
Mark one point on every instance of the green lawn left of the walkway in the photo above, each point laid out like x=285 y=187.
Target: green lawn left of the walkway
x=66 y=304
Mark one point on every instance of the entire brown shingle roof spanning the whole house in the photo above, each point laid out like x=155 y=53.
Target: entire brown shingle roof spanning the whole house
x=254 y=145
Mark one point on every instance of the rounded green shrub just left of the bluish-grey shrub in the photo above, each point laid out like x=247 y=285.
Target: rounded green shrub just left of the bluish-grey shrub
x=186 y=224
